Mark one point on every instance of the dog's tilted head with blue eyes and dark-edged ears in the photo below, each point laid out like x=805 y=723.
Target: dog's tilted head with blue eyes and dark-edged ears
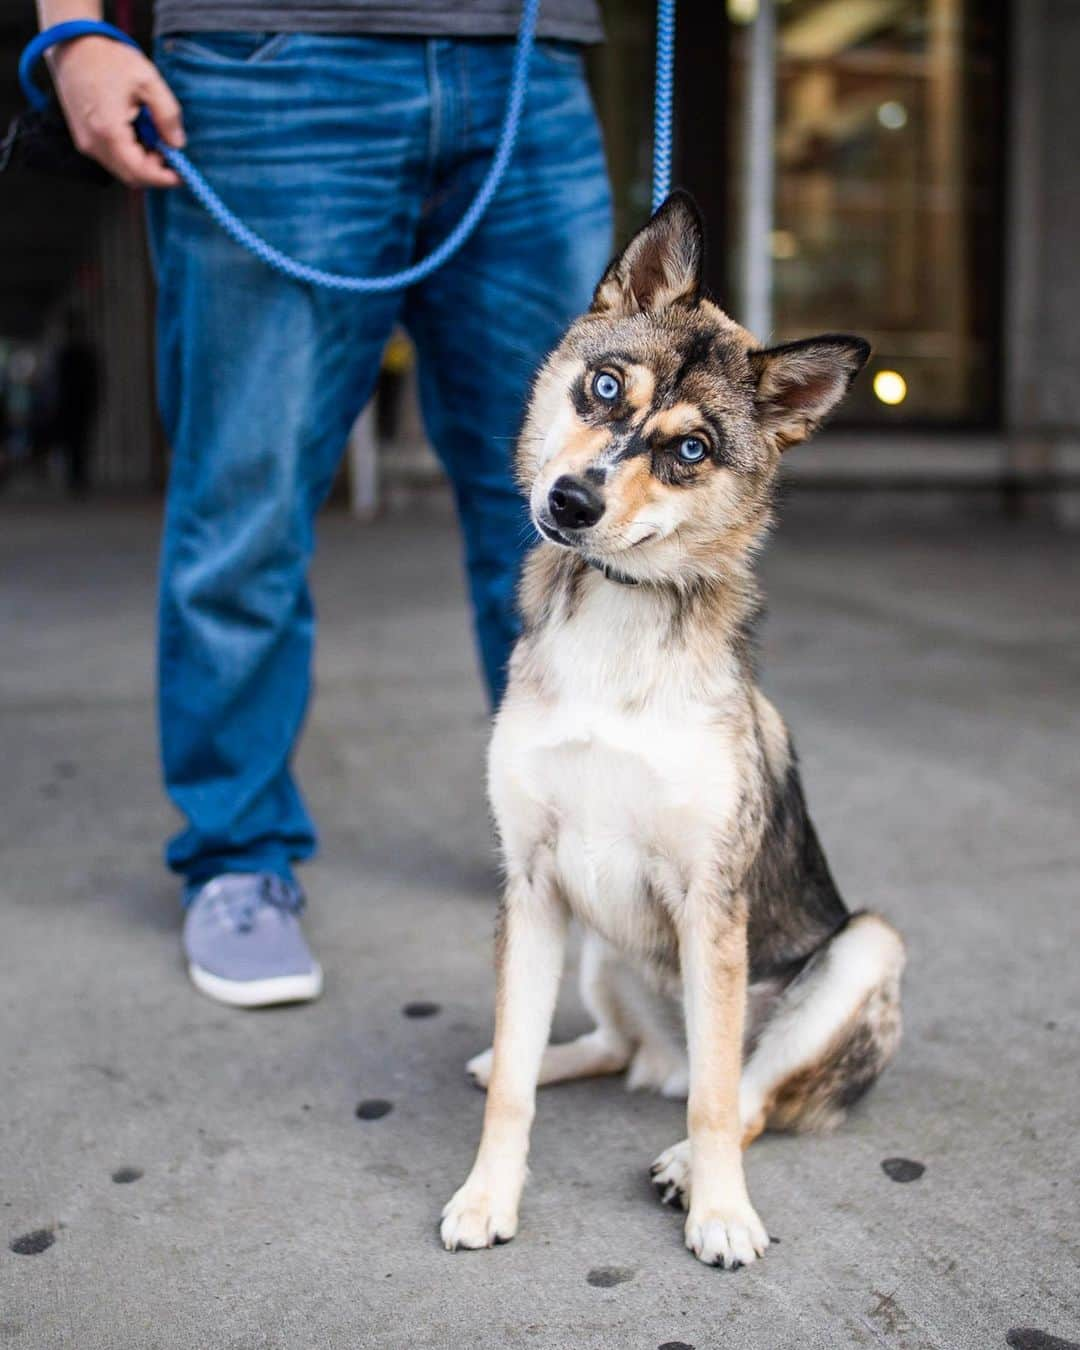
x=655 y=429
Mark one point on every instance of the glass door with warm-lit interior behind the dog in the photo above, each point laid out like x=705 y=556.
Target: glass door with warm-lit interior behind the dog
x=888 y=161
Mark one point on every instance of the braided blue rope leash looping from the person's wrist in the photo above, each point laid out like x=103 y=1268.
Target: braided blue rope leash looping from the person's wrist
x=259 y=246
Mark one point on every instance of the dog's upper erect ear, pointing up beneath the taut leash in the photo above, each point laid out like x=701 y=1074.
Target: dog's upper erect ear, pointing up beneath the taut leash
x=661 y=267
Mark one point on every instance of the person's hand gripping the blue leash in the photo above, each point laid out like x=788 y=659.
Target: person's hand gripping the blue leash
x=102 y=86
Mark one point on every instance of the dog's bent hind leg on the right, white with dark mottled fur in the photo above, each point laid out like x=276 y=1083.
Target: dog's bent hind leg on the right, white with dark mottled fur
x=831 y=1035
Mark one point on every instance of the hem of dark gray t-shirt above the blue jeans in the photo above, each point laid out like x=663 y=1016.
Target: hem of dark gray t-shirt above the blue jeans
x=572 y=21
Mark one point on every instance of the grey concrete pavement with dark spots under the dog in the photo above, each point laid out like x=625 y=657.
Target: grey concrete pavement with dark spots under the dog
x=200 y=1178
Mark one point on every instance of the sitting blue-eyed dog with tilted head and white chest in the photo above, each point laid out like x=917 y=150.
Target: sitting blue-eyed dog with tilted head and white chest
x=641 y=781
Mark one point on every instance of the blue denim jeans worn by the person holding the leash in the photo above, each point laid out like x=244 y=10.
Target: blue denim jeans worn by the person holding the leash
x=356 y=155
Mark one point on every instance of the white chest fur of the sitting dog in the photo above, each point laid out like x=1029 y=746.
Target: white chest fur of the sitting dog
x=616 y=772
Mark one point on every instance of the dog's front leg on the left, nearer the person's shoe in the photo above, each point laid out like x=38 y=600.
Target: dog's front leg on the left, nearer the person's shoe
x=529 y=963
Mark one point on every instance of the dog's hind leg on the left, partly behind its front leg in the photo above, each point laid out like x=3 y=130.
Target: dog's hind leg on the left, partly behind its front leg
x=605 y=1050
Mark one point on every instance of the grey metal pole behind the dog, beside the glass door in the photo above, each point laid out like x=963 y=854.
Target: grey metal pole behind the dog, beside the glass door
x=759 y=117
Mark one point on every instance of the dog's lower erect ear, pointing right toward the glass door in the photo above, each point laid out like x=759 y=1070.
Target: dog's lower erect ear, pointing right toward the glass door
x=801 y=383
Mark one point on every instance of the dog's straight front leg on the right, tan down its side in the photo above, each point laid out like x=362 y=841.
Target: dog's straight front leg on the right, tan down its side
x=722 y=1228
